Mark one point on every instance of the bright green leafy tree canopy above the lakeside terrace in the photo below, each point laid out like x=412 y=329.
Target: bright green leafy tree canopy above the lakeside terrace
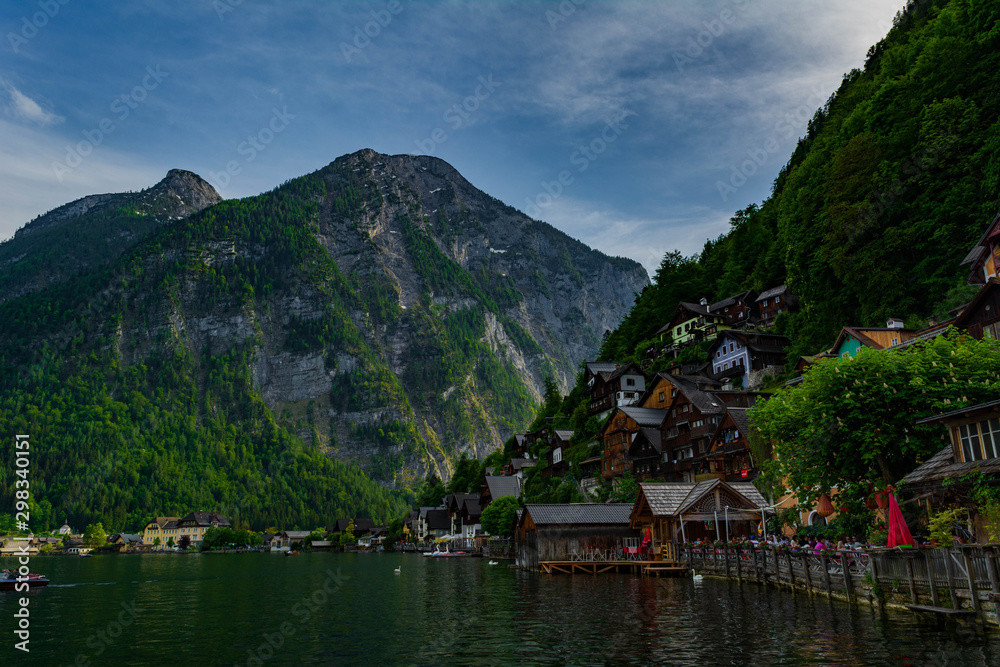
x=851 y=422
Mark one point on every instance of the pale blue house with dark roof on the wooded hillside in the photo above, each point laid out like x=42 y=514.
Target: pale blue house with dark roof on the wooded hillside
x=746 y=357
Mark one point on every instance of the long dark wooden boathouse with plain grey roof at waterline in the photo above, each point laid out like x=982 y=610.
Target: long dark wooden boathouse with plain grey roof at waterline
x=559 y=532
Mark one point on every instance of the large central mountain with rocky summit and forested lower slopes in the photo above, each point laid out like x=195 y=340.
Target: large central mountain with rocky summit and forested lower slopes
x=270 y=356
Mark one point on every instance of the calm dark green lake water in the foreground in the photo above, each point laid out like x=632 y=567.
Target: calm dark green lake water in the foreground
x=332 y=609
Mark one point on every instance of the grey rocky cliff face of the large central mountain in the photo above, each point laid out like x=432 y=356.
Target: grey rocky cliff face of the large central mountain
x=393 y=315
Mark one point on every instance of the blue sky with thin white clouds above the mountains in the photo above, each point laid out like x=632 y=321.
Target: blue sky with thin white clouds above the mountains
x=636 y=127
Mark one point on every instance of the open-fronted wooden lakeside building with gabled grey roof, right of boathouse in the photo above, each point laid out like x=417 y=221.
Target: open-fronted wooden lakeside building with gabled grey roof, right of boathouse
x=677 y=512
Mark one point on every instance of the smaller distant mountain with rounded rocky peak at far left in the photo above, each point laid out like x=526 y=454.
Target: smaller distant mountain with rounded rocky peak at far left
x=94 y=230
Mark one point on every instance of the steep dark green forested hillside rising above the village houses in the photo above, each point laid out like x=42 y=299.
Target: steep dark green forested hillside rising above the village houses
x=895 y=180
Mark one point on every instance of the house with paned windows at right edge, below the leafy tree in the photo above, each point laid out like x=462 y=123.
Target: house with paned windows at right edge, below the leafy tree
x=973 y=436
